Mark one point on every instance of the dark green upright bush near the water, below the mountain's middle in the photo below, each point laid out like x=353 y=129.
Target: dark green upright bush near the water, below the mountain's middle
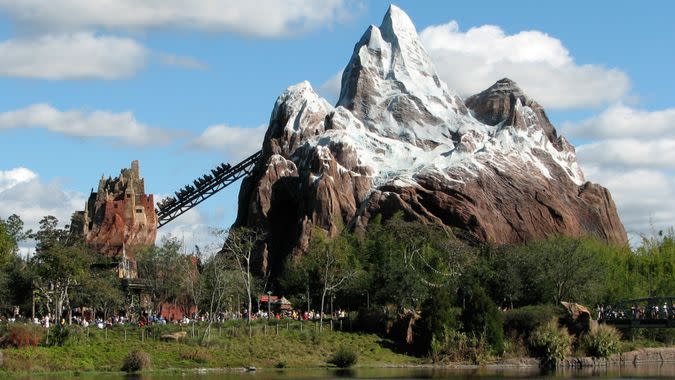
x=481 y=317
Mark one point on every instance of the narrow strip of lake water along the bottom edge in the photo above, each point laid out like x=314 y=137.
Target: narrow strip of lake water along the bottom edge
x=651 y=371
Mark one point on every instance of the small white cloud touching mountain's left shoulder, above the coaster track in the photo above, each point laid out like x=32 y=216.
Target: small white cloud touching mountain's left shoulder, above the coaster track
x=236 y=142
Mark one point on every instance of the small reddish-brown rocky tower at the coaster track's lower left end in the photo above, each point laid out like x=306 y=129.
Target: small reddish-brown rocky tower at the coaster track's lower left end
x=119 y=217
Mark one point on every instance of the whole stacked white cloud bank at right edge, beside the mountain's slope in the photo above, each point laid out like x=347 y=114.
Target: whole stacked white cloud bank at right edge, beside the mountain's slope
x=632 y=153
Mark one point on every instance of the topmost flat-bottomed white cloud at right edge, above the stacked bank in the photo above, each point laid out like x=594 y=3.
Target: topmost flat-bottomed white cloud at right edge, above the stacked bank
x=621 y=121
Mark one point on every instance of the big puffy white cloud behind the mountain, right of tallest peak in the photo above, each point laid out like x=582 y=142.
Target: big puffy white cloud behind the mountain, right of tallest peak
x=471 y=61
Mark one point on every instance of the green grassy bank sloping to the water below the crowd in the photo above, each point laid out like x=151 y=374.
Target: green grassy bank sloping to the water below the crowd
x=288 y=345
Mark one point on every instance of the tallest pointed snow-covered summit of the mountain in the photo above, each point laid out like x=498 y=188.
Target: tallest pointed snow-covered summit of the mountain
x=391 y=85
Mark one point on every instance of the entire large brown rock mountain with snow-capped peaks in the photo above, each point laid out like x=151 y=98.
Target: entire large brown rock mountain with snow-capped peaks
x=491 y=166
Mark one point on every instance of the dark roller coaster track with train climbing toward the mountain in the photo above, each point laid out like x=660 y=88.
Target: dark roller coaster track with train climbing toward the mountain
x=204 y=187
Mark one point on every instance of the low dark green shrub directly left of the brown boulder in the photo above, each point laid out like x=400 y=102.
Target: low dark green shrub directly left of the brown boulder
x=522 y=321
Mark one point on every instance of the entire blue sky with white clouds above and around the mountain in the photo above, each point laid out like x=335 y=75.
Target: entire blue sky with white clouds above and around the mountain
x=89 y=86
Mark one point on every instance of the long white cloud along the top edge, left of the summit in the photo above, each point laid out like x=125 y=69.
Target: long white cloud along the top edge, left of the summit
x=261 y=18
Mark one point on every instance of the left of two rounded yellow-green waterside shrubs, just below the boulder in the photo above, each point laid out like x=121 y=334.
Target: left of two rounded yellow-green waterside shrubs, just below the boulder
x=550 y=343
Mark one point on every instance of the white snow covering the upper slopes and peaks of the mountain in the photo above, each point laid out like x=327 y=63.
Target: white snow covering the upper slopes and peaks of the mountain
x=402 y=119
